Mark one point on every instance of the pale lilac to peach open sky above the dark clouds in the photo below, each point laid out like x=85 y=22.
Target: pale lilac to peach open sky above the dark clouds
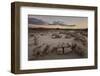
x=79 y=21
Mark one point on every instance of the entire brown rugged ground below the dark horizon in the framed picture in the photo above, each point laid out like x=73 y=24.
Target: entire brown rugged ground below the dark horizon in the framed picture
x=57 y=44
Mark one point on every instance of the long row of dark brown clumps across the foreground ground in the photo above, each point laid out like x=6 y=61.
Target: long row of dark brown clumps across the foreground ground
x=44 y=50
